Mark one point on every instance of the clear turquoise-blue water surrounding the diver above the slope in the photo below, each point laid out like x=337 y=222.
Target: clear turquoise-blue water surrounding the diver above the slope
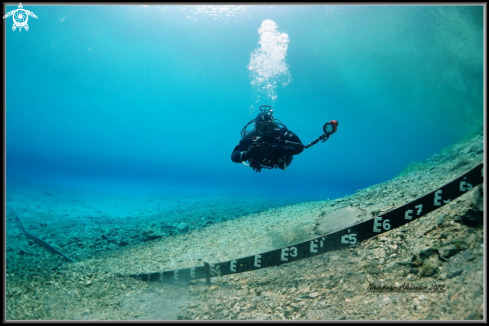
x=131 y=99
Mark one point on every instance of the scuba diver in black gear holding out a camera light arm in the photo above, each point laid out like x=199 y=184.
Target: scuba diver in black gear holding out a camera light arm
x=267 y=143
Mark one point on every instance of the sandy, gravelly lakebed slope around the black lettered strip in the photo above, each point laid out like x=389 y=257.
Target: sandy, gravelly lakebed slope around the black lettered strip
x=333 y=286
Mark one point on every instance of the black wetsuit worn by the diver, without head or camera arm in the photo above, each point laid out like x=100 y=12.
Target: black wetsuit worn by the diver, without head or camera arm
x=271 y=150
